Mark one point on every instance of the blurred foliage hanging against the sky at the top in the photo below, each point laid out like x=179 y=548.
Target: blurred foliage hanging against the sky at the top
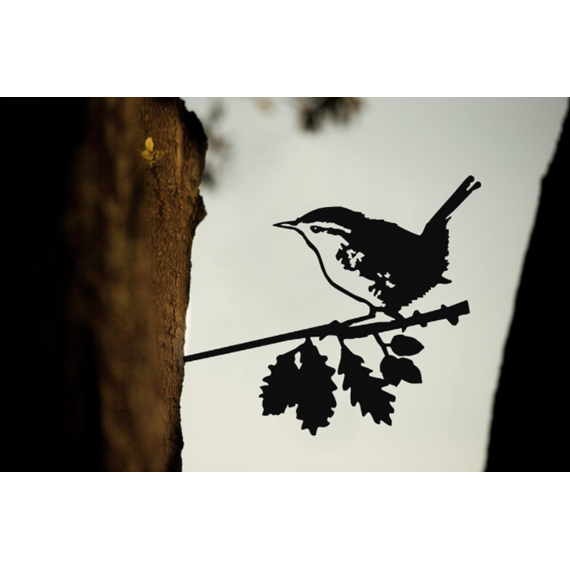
x=314 y=113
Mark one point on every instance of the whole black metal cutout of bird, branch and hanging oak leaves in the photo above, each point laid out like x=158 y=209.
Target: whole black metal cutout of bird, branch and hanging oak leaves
x=387 y=268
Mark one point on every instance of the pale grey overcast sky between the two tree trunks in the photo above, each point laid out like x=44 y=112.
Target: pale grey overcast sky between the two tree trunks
x=400 y=160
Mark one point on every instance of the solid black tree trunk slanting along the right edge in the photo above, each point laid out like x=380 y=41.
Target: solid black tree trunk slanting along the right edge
x=529 y=428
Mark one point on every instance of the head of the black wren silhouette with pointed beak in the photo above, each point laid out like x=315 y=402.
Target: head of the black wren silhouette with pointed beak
x=326 y=229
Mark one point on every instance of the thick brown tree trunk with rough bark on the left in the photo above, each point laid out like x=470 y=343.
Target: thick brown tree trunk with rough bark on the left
x=101 y=259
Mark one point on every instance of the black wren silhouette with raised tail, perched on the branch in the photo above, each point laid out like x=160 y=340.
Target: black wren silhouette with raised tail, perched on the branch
x=378 y=262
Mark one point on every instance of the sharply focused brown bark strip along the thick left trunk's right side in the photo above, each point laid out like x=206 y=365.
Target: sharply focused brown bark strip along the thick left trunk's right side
x=175 y=209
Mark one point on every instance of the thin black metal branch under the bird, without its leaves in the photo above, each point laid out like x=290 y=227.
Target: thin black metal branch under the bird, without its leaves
x=343 y=332
